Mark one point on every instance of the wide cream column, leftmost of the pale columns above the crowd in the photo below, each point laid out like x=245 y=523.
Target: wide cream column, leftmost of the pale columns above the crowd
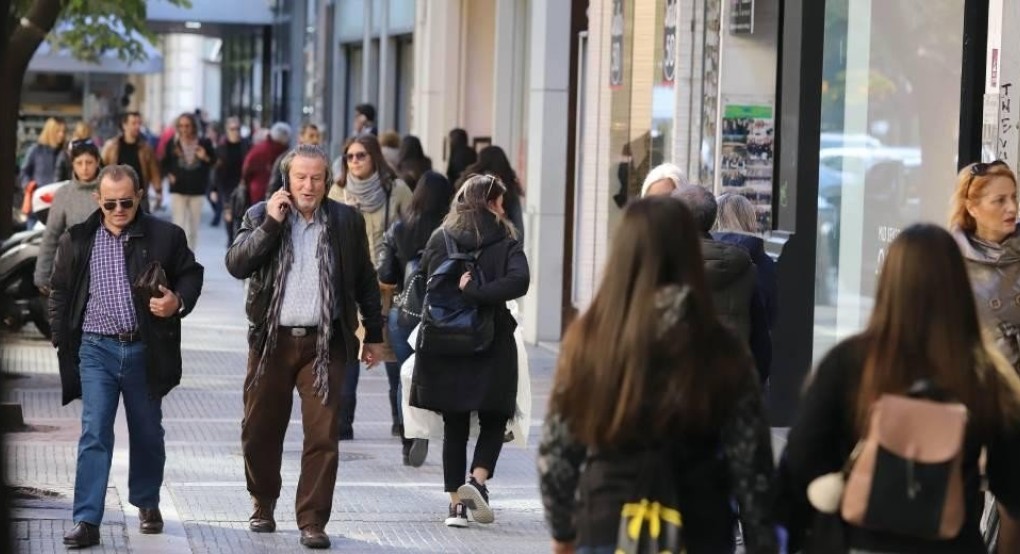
x=438 y=73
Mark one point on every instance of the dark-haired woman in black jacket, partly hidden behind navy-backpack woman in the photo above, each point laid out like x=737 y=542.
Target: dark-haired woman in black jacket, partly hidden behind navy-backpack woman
x=402 y=249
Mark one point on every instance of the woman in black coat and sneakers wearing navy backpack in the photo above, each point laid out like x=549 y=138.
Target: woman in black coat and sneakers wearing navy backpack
x=483 y=382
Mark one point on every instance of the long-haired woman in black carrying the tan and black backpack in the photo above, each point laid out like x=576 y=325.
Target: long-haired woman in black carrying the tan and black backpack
x=925 y=328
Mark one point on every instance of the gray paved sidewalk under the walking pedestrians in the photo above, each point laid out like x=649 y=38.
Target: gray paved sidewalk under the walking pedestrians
x=379 y=505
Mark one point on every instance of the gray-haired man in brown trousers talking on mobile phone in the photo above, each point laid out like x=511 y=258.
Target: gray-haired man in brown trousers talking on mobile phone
x=311 y=274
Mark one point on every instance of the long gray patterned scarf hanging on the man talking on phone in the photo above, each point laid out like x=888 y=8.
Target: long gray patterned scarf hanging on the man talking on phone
x=324 y=253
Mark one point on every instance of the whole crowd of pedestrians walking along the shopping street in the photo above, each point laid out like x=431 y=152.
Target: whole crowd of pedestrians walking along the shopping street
x=656 y=437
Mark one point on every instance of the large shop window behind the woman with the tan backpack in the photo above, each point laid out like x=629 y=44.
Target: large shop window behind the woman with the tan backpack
x=890 y=126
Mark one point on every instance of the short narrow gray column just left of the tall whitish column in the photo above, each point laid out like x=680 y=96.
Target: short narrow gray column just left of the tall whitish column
x=508 y=77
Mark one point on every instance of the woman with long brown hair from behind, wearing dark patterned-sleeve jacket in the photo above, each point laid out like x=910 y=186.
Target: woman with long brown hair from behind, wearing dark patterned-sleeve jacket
x=655 y=399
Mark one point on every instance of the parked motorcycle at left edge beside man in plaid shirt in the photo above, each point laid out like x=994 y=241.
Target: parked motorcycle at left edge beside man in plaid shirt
x=22 y=301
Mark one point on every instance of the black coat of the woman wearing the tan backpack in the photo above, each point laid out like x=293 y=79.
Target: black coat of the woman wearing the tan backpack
x=824 y=438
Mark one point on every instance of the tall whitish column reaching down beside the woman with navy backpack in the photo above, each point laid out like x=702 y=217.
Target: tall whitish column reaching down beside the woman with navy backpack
x=547 y=157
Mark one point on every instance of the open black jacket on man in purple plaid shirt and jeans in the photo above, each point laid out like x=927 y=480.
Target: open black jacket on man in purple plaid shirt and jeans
x=149 y=240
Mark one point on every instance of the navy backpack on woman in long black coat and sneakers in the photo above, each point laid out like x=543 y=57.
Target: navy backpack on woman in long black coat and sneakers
x=452 y=325
